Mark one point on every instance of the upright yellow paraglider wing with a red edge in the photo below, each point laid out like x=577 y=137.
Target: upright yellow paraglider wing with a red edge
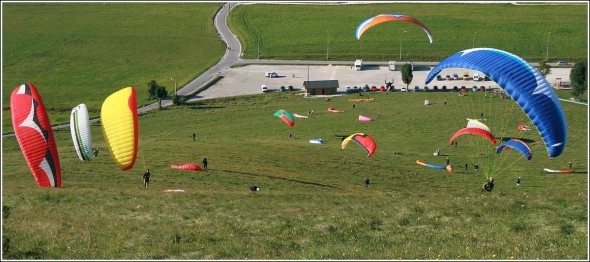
x=120 y=126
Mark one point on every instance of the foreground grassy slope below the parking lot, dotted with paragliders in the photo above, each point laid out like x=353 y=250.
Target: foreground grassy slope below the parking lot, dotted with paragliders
x=312 y=203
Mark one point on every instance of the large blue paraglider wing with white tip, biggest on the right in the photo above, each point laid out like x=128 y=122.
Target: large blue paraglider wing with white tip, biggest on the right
x=524 y=83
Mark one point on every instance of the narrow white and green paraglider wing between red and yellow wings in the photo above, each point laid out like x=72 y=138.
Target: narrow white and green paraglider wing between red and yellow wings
x=80 y=130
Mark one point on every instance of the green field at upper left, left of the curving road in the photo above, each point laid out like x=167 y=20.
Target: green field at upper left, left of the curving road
x=82 y=52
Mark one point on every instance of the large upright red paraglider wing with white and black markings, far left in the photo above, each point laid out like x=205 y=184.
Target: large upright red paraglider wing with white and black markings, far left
x=34 y=135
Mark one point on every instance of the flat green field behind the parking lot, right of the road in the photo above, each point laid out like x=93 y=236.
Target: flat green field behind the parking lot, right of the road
x=312 y=31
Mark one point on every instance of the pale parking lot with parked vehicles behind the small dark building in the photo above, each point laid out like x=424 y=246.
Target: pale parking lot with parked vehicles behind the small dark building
x=247 y=80
